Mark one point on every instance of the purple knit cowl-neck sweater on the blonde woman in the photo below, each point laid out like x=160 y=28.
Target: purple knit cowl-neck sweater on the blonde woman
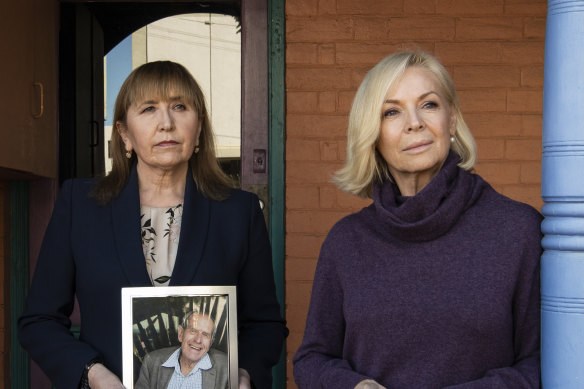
x=439 y=290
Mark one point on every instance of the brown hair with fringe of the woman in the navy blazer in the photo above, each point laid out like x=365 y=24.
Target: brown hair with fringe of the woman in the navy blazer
x=162 y=80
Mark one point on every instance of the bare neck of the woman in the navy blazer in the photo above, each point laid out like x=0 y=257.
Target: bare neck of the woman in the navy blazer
x=162 y=188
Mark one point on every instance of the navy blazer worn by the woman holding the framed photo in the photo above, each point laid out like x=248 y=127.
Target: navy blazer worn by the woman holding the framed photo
x=92 y=251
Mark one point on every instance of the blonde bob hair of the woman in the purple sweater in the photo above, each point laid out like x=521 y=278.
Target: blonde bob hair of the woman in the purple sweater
x=365 y=165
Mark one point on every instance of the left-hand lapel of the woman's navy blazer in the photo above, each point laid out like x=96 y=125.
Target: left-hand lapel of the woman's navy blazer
x=127 y=232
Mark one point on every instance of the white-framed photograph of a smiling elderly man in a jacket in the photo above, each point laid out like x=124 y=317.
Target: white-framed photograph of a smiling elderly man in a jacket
x=188 y=330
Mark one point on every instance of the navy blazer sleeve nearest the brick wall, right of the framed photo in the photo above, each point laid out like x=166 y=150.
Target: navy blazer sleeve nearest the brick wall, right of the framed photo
x=261 y=328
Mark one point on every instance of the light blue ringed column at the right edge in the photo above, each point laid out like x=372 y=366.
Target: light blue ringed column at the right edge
x=562 y=282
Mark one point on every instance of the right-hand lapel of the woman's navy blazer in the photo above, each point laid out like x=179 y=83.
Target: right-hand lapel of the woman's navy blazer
x=193 y=233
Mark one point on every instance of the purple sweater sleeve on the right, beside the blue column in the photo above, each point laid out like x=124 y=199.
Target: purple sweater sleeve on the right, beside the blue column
x=525 y=371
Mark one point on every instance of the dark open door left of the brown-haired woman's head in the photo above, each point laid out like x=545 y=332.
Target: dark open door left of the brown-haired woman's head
x=81 y=102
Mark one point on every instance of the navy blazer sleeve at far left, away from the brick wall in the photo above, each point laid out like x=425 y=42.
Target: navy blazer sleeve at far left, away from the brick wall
x=44 y=327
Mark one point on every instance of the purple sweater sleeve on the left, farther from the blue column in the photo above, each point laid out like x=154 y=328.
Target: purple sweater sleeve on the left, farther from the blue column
x=319 y=362
